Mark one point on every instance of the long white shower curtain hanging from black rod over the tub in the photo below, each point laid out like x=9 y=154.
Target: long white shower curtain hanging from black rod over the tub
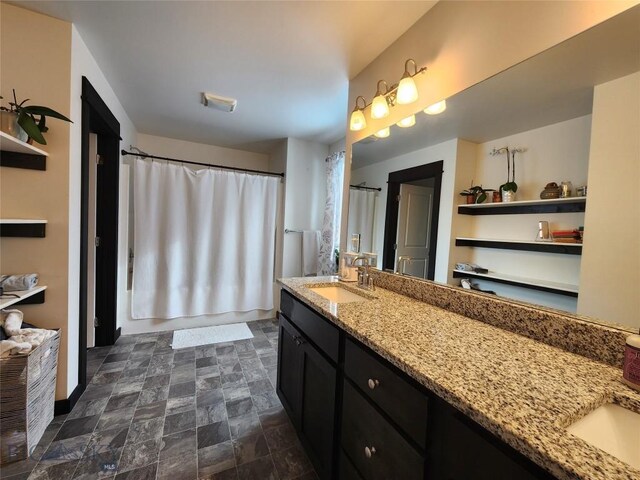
x=204 y=241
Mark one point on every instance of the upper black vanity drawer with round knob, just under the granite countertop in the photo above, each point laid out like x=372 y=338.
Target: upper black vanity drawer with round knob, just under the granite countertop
x=404 y=403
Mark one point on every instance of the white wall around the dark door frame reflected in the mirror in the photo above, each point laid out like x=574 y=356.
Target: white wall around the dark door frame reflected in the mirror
x=376 y=175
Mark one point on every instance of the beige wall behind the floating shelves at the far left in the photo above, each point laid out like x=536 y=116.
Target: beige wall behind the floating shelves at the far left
x=35 y=53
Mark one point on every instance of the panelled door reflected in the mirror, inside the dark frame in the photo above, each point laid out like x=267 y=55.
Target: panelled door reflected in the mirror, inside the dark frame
x=414 y=228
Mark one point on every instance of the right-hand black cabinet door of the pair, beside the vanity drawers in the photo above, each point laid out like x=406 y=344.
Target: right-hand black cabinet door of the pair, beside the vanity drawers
x=317 y=425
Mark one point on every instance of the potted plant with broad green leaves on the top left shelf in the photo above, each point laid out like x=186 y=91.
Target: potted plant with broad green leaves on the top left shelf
x=19 y=120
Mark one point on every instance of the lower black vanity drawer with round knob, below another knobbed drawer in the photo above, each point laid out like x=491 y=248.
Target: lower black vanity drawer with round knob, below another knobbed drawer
x=373 y=445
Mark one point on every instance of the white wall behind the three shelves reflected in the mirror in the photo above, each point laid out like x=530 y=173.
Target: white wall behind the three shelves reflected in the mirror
x=553 y=153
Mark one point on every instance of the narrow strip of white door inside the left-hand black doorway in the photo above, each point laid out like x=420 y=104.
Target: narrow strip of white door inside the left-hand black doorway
x=91 y=247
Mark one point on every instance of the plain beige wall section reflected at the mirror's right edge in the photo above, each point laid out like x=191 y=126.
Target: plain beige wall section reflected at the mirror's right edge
x=611 y=253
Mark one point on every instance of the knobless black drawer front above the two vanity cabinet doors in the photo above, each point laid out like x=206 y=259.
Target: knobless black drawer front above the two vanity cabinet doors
x=320 y=331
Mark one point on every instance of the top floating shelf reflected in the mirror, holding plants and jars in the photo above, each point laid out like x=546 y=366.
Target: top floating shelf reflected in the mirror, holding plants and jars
x=556 y=205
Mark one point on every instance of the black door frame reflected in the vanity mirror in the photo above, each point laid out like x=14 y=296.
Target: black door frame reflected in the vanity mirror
x=430 y=170
